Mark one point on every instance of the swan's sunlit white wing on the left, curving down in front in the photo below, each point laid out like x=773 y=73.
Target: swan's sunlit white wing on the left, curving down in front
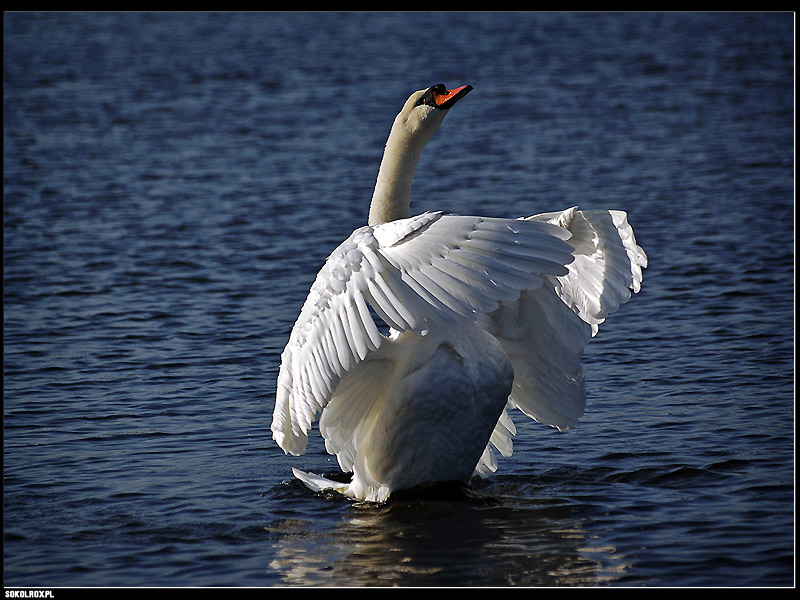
x=412 y=272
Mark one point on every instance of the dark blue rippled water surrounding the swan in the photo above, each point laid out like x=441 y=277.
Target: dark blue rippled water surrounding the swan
x=172 y=183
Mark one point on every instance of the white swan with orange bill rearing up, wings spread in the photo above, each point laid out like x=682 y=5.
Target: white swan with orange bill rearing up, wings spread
x=484 y=315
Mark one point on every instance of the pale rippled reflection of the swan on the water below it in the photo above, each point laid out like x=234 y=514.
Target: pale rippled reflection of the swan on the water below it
x=444 y=535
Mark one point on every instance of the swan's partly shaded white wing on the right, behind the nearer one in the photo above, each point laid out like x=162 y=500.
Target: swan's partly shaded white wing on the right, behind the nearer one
x=545 y=331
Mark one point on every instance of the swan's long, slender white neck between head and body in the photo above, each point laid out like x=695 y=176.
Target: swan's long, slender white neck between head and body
x=391 y=199
